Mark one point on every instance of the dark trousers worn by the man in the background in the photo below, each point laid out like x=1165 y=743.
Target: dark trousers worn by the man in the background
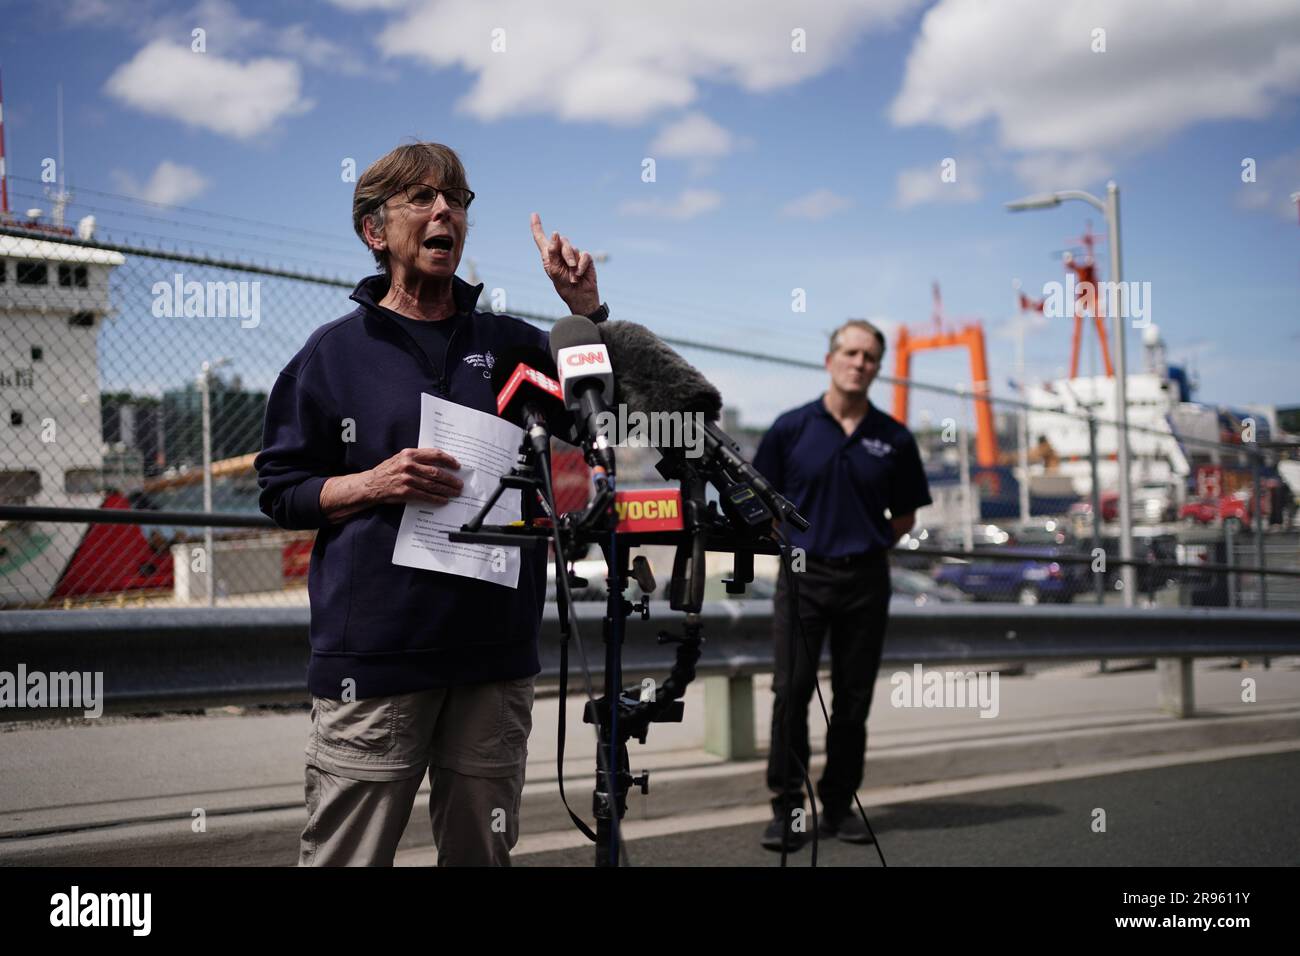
x=852 y=604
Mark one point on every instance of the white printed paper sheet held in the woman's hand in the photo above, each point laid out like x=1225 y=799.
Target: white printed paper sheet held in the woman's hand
x=487 y=448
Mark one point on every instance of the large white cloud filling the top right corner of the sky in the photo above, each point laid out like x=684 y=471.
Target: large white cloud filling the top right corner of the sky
x=1028 y=68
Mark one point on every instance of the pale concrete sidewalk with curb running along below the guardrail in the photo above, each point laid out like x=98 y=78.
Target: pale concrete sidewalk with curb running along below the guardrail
x=125 y=790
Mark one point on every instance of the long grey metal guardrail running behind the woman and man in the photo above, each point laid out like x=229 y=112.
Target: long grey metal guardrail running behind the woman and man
x=155 y=659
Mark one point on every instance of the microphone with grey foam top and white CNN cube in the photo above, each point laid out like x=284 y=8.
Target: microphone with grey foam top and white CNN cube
x=587 y=382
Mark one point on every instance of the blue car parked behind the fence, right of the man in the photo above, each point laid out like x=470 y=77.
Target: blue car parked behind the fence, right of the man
x=1028 y=576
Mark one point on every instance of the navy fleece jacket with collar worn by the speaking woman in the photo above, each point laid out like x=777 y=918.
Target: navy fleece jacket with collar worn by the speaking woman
x=388 y=628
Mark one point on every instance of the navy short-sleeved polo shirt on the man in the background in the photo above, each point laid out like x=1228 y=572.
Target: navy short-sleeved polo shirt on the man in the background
x=844 y=483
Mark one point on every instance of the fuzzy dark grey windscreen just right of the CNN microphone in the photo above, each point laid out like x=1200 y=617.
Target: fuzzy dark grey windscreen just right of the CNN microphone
x=653 y=378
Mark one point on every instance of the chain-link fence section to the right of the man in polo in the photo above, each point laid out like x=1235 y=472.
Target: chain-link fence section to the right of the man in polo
x=1028 y=511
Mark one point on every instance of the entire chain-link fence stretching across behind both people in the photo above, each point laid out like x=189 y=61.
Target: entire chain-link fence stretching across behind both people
x=133 y=375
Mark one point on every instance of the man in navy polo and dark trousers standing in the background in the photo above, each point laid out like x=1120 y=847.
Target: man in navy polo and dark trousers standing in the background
x=855 y=473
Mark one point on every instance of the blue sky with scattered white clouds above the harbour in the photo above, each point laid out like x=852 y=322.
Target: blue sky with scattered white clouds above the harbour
x=775 y=168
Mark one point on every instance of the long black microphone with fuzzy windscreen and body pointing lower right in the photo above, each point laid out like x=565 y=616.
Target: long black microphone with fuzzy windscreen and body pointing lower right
x=656 y=379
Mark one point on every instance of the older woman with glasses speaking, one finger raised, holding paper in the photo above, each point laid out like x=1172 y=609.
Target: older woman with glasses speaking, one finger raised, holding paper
x=411 y=671
